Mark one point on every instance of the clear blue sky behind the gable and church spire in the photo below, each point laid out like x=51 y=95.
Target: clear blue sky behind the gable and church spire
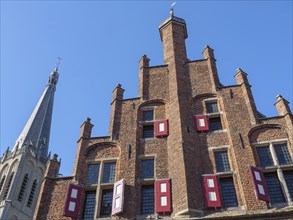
x=101 y=43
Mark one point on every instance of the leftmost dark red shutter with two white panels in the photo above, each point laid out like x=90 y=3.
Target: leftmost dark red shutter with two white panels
x=72 y=203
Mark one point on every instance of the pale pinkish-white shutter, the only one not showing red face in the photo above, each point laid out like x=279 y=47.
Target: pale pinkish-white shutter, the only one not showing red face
x=118 y=197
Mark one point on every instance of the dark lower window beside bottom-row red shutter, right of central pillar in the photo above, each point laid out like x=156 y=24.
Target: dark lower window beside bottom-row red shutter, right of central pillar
x=228 y=194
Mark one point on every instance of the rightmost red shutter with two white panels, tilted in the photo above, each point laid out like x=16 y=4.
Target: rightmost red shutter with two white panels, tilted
x=259 y=183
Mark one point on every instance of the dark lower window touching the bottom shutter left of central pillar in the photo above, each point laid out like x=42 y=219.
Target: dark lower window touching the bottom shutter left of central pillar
x=147 y=199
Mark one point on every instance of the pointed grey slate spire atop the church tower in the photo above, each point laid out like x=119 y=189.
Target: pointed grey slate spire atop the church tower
x=36 y=133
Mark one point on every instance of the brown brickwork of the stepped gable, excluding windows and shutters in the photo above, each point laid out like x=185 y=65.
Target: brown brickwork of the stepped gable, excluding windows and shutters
x=177 y=91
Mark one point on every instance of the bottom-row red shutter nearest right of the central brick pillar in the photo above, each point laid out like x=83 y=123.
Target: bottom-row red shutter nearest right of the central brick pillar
x=211 y=188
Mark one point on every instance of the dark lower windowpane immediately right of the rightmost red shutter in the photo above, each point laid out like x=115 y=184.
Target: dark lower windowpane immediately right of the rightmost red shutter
x=274 y=188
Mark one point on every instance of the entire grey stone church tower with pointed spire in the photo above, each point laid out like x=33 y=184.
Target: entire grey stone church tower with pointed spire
x=22 y=168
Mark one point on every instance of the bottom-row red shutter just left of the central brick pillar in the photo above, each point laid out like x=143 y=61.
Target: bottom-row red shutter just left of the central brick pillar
x=163 y=195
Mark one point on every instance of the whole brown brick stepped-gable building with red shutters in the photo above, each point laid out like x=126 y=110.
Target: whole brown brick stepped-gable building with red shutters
x=187 y=146
